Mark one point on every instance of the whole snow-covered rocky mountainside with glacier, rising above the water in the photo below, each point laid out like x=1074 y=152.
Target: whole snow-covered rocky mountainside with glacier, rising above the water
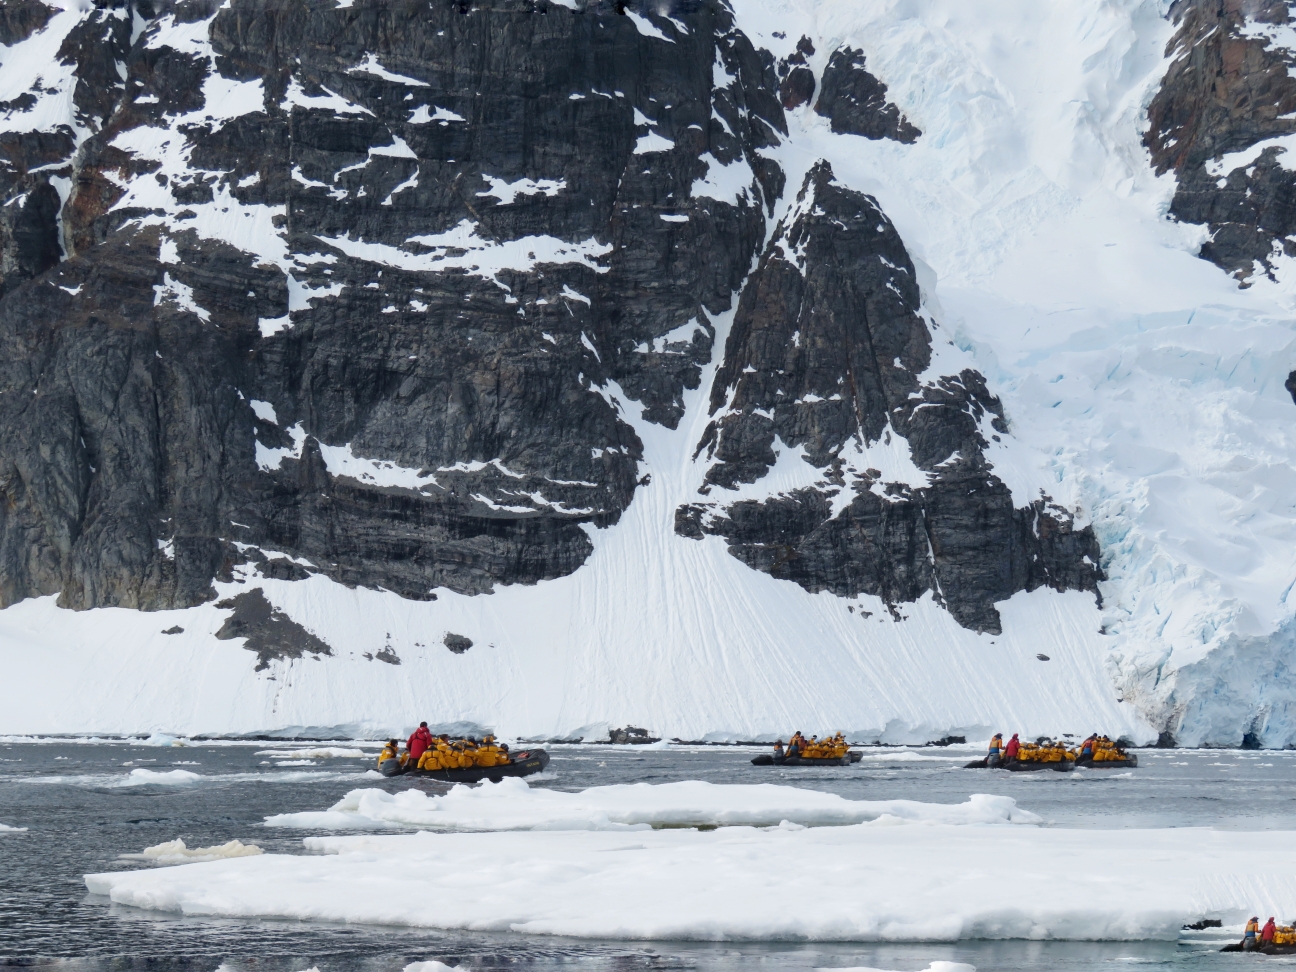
x=914 y=369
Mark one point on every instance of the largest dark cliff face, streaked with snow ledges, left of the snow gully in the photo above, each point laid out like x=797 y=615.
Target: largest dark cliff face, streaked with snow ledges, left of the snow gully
x=345 y=286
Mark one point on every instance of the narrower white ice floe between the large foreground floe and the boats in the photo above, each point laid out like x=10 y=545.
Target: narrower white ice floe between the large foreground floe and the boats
x=513 y=805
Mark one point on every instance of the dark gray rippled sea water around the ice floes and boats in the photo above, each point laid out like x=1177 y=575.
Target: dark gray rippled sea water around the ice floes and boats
x=82 y=809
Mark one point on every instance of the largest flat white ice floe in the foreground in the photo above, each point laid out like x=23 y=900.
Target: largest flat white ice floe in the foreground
x=878 y=882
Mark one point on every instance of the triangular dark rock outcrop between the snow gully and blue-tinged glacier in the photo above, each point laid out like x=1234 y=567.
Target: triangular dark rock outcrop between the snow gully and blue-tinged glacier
x=824 y=360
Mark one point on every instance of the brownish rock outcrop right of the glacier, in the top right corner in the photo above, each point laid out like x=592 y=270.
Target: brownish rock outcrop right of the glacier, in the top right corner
x=1227 y=91
